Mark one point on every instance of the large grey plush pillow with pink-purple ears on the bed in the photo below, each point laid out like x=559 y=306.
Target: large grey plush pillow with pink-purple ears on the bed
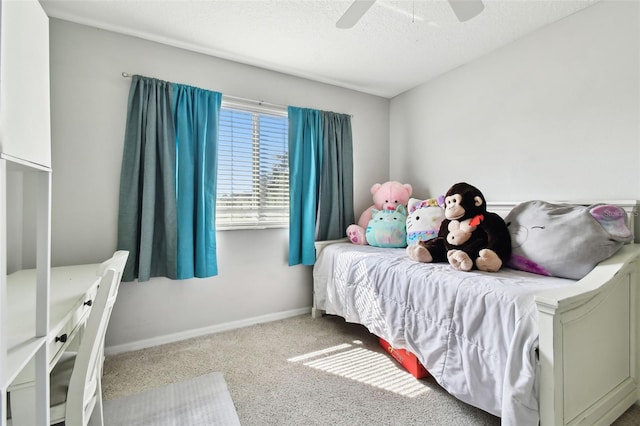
x=564 y=240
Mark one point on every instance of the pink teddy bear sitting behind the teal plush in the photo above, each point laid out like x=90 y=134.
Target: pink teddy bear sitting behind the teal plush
x=386 y=196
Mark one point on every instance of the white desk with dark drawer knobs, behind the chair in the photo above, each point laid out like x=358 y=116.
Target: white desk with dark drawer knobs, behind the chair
x=71 y=289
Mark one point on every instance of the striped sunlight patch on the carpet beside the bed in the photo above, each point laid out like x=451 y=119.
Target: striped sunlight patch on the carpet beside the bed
x=365 y=366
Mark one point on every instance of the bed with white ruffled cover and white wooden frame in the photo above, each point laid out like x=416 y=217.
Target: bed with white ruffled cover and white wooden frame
x=524 y=347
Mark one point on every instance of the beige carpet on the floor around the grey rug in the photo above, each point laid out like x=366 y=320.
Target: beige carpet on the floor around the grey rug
x=301 y=371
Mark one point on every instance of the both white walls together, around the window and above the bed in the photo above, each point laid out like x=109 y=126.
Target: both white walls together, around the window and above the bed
x=554 y=115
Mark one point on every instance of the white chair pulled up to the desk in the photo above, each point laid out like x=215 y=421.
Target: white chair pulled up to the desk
x=76 y=380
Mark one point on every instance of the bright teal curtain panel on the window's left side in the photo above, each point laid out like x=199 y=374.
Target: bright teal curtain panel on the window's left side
x=196 y=115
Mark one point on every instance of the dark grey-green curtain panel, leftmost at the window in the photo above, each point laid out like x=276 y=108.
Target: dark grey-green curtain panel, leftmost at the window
x=147 y=211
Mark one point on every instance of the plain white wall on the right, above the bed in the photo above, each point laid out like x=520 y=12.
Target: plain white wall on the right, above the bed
x=554 y=115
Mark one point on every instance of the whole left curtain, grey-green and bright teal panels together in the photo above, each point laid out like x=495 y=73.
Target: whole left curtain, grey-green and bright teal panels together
x=166 y=216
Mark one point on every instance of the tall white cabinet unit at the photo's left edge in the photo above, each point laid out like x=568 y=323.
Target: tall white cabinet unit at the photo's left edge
x=25 y=152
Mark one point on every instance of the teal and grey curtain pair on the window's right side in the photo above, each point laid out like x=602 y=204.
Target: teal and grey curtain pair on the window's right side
x=320 y=180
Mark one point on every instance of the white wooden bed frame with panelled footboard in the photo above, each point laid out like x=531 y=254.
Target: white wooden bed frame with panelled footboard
x=589 y=337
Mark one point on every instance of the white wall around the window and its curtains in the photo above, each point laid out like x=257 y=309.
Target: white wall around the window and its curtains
x=89 y=102
